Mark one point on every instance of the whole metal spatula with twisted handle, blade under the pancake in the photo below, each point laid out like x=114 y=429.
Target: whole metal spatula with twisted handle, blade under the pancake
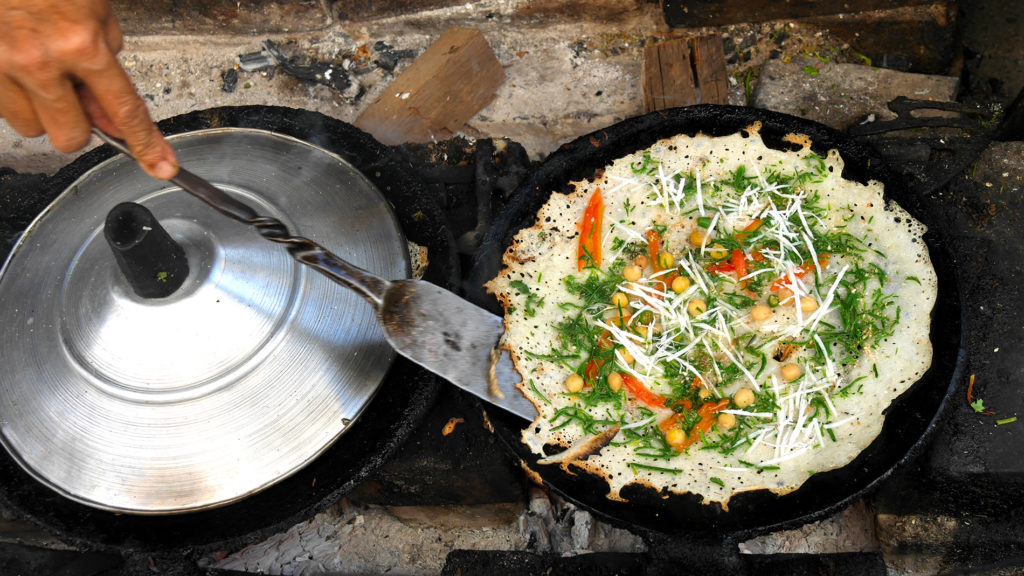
x=425 y=323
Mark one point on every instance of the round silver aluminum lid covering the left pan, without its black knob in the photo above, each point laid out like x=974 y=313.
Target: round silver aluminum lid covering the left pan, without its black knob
x=246 y=374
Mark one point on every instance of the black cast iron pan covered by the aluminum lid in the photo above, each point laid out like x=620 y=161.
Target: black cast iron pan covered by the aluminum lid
x=407 y=394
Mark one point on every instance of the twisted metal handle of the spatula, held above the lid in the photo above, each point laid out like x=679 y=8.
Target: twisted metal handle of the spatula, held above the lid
x=305 y=252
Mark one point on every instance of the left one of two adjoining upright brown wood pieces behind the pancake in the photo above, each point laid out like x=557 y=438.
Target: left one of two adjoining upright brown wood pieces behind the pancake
x=668 y=79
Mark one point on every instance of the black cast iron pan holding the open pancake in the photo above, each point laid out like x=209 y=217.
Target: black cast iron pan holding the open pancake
x=910 y=422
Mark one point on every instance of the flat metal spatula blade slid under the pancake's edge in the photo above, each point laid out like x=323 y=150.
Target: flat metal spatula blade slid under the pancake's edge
x=453 y=339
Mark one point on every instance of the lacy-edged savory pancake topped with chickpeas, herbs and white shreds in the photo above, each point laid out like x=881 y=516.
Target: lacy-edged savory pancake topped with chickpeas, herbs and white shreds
x=718 y=315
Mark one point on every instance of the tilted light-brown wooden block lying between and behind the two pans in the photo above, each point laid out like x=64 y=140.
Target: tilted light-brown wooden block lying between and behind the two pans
x=451 y=81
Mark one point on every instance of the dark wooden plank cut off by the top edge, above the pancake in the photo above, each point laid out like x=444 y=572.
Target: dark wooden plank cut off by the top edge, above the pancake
x=685 y=14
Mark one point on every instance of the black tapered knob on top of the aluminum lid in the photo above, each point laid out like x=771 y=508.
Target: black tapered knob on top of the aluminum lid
x=153 y=263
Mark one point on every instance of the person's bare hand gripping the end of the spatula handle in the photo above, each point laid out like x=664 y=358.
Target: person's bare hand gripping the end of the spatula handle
x=60 y=76
